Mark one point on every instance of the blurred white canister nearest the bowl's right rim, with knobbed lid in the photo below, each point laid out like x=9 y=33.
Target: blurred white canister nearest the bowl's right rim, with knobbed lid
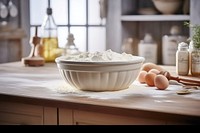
x=147 y=48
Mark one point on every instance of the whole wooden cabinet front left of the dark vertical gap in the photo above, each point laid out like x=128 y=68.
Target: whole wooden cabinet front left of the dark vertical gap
x=13 y=113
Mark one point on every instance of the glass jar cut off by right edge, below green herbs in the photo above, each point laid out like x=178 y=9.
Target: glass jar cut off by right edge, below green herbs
x=194 y=60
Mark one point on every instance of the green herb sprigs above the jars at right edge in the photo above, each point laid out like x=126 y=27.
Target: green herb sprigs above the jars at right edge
x=196 y=34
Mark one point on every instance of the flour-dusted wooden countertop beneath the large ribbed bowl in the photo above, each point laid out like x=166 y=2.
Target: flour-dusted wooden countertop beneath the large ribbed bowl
x=41 y=86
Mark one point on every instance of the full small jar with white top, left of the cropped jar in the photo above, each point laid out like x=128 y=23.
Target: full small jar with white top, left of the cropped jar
x=182 y=59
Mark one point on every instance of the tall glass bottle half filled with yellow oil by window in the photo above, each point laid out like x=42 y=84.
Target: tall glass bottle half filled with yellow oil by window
x=49 y=38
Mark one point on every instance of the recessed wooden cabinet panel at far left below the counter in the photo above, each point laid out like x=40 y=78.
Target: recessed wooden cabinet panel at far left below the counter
x=20 y=114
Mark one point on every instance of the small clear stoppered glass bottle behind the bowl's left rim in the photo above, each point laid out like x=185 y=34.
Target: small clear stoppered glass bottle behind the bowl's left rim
x=70 y=47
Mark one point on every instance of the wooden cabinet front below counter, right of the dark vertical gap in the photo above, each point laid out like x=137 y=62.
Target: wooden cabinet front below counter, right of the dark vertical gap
x=95 y=117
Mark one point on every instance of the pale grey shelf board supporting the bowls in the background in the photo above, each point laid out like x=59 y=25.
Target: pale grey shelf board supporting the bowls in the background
x=155 y=18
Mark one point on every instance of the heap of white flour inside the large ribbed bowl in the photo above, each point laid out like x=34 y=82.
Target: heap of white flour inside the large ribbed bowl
x=104 y=56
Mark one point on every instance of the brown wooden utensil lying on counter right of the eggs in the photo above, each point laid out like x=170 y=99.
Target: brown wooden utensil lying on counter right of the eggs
x=184 y=81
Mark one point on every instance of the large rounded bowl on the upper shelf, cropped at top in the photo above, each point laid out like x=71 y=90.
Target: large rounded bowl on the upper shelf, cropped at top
x=167 y=6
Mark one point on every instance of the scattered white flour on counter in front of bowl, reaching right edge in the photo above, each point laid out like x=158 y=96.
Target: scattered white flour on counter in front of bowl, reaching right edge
x=133 y=91
